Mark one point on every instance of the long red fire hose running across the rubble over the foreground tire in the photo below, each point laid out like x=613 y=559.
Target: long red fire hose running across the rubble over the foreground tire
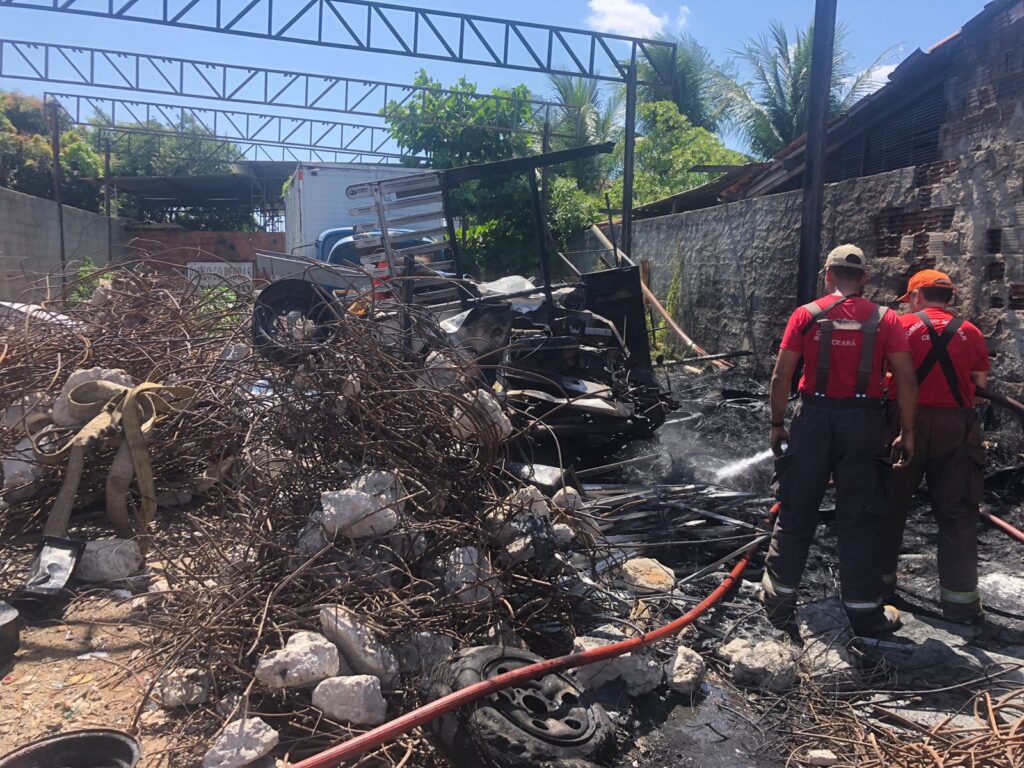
x=385 y=734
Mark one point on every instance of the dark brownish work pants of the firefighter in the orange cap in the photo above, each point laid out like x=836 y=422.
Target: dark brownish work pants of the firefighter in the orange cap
x=950 y=455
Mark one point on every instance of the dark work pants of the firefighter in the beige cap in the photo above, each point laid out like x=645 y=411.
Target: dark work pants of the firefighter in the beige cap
x=843 y=441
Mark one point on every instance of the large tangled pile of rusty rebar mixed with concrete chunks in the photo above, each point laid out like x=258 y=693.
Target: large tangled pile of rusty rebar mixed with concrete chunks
x=258 y=447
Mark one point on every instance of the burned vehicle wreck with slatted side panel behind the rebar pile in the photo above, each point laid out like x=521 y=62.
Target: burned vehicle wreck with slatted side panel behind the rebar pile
x=573 y=360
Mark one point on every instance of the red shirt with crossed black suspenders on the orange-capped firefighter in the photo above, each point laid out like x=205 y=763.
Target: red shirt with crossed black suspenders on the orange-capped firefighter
x=967 y=351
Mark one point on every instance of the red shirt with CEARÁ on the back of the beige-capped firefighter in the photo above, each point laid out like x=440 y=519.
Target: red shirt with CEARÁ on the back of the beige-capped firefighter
x=845 y=358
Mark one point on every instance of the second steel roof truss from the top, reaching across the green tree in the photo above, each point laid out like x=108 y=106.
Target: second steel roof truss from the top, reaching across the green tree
x=143 y=73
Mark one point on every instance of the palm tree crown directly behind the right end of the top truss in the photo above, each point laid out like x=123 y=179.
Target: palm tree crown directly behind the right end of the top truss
x=701 y=90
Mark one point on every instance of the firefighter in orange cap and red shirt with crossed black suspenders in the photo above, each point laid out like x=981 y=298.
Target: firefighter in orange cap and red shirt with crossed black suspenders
x=952 y=360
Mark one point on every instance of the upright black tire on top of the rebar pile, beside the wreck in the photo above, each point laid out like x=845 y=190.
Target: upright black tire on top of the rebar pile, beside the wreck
x=292 y=318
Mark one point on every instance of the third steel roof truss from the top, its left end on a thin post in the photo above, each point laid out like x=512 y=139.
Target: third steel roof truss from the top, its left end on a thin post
x=247 y=129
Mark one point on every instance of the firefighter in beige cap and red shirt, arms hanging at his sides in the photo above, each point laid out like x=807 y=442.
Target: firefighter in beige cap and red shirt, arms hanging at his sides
x=839 y=432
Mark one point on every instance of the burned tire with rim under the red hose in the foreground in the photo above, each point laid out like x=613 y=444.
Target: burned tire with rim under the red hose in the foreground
x=546 y=722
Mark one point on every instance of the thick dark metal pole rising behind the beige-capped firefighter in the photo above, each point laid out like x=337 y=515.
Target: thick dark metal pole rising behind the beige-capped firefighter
x=820 y=90
